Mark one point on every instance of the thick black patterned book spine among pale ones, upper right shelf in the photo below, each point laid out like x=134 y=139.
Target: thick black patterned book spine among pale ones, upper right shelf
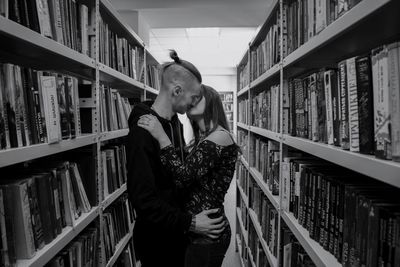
x=365 y=104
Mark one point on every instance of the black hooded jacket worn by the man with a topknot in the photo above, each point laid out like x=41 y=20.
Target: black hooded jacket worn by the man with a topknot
x=160 y=223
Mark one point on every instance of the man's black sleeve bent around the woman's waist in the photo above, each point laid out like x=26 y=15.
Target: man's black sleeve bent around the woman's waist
x=142 y=189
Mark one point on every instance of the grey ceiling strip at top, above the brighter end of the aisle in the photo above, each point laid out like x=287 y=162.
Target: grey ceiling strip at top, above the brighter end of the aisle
x=198 y=13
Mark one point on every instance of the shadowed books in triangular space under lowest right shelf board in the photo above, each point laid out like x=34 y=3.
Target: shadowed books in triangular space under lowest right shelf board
x=292 y=253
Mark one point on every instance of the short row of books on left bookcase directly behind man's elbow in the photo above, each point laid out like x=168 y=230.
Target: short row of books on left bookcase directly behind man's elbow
x=114 y=173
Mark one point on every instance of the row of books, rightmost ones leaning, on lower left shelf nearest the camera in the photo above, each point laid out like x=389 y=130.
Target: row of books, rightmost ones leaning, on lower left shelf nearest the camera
x=37 y=205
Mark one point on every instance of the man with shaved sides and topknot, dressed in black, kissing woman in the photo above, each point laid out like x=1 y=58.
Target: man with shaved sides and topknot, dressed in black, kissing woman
x=159 y=233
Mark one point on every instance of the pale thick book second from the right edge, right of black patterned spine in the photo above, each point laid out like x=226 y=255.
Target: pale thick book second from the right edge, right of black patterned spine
x=380 y=78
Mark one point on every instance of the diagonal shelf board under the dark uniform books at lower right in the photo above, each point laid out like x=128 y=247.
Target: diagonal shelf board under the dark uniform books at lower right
x=318 y=254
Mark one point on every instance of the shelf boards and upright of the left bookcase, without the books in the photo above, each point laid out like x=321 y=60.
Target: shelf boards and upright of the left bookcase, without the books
x=25 y=47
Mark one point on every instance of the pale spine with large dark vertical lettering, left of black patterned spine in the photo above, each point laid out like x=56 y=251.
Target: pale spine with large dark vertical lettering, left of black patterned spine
x=353 y=105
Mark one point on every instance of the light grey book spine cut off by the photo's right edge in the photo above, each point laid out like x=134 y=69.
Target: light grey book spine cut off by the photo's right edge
x=394 y=85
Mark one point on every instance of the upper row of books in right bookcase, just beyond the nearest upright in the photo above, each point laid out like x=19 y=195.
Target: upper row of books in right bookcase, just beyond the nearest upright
x=267 y=54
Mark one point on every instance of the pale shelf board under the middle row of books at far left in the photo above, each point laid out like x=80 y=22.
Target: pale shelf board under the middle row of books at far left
x=21 y=154
